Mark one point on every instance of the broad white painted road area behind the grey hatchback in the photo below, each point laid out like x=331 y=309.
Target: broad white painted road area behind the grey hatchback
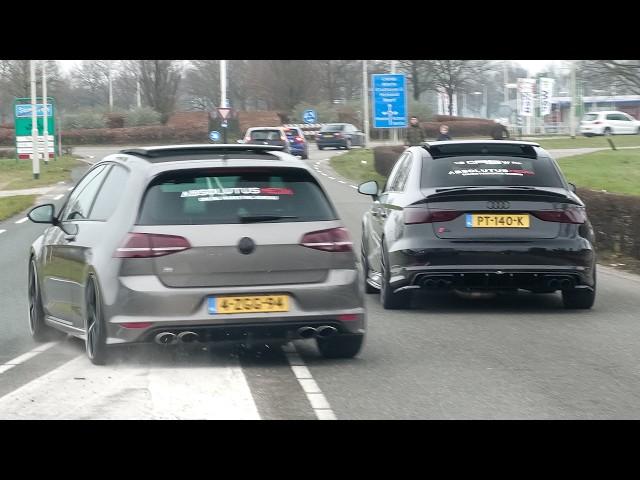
x=136 y=389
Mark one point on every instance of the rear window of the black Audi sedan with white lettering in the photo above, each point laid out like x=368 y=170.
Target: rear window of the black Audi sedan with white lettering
x=490 y=171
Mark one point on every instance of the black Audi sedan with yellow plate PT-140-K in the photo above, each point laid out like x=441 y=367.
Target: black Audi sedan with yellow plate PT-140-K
x=477 y=216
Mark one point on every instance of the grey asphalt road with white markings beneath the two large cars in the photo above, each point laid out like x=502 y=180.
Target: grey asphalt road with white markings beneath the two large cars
x=444 y=358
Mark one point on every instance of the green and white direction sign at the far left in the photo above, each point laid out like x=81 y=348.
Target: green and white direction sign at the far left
x=23 y=127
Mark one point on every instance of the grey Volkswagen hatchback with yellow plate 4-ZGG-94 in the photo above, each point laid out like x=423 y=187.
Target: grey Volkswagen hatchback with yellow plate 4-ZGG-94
x=196 y=243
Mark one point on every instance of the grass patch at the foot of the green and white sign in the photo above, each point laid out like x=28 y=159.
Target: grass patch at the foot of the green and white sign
x=15 y=175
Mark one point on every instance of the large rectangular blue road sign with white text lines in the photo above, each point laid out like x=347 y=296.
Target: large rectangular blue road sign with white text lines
x=389 y=100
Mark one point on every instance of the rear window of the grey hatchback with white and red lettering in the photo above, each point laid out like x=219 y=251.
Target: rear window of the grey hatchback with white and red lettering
x=224 y=196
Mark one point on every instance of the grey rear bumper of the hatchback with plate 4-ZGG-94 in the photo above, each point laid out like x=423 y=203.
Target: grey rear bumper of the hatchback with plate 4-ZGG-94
x=145 y=299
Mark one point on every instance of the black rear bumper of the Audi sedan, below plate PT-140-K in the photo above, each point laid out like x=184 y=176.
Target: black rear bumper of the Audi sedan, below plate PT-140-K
x=497 y=266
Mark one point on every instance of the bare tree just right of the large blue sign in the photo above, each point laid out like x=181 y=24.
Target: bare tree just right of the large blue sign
x=453 y=75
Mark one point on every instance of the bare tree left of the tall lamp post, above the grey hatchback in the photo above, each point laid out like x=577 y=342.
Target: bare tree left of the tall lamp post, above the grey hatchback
x=159 y=80
